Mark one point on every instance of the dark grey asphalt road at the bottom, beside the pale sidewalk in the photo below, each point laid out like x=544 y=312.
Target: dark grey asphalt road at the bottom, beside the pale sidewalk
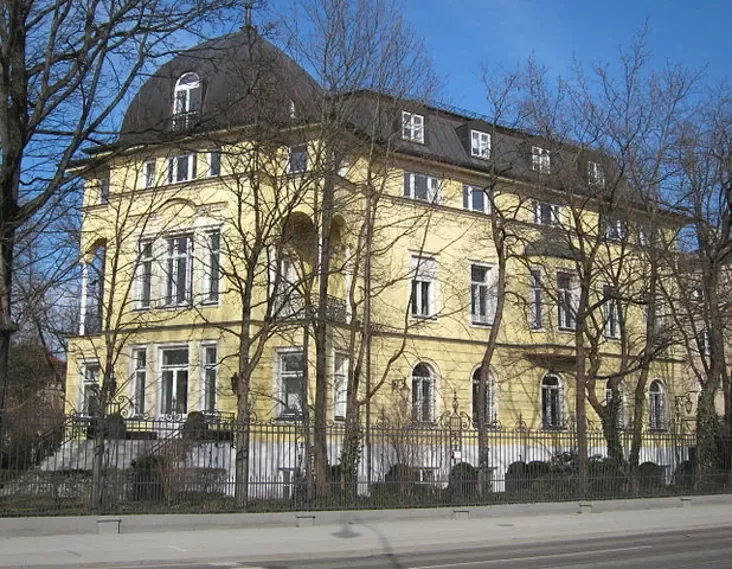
x=697 y=549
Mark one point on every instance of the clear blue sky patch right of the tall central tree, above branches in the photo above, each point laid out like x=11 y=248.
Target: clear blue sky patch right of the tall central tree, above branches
x=462 y=35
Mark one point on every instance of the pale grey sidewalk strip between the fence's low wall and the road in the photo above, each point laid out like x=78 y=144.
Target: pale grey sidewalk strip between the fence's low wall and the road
x=344 y=539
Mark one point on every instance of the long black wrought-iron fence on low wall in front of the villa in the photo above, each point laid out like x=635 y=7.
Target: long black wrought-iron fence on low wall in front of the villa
x=179 y=464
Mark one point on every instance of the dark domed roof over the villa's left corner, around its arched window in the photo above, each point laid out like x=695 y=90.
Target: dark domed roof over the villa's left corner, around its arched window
x=245 y=80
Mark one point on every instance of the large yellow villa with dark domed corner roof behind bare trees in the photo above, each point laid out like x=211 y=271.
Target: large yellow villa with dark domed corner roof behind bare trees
x=171 y=177
